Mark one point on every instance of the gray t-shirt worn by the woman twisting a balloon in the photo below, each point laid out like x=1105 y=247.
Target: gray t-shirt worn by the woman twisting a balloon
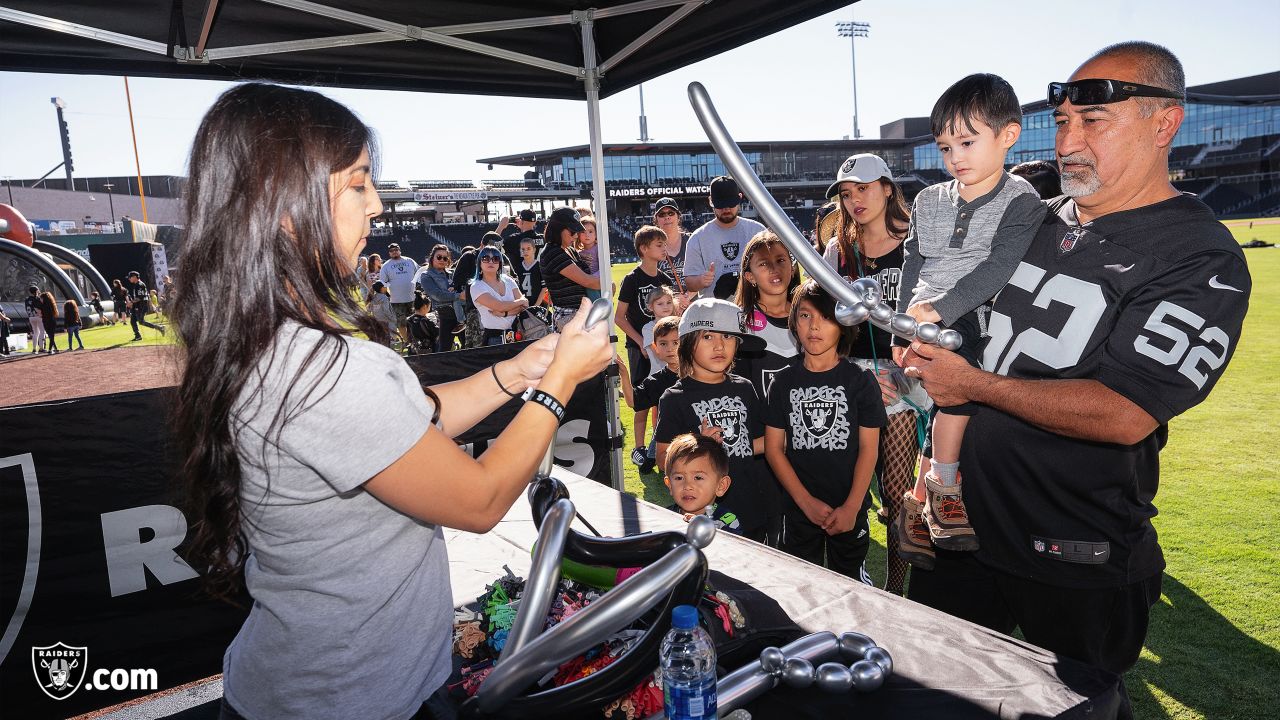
x=353 y=610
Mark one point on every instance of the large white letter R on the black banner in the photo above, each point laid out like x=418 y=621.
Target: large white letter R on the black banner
x=127 y=554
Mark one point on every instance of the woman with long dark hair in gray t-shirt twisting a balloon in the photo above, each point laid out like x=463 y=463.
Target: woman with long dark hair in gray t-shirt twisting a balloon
x=342 y=553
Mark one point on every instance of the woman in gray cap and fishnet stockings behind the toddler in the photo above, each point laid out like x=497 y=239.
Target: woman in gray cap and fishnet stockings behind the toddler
x=874 y=221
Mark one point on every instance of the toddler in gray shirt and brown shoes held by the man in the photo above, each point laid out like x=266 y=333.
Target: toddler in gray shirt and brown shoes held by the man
x=966 y=241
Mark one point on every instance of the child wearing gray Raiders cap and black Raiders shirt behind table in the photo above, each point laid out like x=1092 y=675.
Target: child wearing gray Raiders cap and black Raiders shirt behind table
x=711 y=402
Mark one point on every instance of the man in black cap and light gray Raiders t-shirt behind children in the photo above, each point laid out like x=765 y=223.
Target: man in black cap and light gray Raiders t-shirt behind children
x=716 y=249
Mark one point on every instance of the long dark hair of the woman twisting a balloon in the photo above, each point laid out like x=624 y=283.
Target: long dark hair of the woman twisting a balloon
x=264 y=154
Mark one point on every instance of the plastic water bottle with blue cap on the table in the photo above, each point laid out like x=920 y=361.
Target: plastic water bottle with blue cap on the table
x=688 y=668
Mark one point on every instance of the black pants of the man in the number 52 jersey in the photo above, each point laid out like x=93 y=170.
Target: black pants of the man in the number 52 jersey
x=1105 y=628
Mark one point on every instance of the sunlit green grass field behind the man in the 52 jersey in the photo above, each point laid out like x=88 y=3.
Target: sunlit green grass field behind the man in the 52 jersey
x=1214 y=644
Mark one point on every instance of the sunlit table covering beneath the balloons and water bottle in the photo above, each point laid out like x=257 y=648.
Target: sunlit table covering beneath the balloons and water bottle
x=943 y=667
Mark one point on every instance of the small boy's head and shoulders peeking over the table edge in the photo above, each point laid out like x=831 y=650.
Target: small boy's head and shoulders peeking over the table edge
x=698 y=477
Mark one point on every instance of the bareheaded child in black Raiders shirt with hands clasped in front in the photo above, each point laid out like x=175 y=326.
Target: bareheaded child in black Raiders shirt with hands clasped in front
x=822 y=439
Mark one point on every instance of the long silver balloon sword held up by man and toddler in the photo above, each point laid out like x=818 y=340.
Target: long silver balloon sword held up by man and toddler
x=848 y=295
